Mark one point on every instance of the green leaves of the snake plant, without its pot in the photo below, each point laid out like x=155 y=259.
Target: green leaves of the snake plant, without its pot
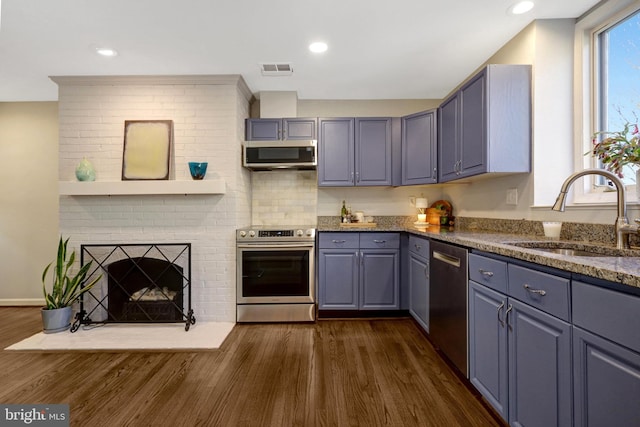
x=67 y=288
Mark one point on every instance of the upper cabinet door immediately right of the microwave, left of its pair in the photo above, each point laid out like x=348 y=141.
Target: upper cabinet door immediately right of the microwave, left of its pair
x=336 y=152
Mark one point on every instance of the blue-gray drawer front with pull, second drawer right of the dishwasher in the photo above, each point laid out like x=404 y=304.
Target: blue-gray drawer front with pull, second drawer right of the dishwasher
x=545 y=291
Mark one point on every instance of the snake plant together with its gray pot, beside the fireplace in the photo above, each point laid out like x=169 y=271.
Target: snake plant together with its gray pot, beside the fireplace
x=66 y=289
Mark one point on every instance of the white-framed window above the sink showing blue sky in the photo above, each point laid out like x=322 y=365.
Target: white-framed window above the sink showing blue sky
x=607 y=90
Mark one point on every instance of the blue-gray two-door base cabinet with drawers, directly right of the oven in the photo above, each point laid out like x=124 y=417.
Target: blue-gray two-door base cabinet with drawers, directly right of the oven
x=358 y=271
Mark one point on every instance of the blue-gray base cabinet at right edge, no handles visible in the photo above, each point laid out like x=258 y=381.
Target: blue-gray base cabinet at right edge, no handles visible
x=606 y=352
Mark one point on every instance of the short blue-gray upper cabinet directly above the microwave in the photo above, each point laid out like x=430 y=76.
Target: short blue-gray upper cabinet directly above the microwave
x=298 y=128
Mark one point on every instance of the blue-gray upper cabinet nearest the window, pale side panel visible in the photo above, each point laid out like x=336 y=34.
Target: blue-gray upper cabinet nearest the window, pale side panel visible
x=485 y=126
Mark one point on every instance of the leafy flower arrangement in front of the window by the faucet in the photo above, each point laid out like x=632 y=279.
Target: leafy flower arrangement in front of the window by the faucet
x=617 y=149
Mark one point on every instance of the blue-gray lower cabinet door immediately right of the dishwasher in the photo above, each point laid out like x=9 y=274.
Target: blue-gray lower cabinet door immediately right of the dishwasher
x=488 y=363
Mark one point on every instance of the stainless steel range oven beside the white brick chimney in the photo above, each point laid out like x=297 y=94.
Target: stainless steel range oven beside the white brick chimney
x=275 y=274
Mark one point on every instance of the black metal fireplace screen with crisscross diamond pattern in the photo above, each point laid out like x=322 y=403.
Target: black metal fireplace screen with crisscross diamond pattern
x=141 y=283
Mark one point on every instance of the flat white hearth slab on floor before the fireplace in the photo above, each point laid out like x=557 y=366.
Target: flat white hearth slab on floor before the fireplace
x=163 y=336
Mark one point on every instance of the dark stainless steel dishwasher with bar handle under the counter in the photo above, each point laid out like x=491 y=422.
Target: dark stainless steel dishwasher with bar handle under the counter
x=448 y=302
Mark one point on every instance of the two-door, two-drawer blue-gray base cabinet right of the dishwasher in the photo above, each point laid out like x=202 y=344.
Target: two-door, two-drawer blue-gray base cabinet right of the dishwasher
x=519 y=349
